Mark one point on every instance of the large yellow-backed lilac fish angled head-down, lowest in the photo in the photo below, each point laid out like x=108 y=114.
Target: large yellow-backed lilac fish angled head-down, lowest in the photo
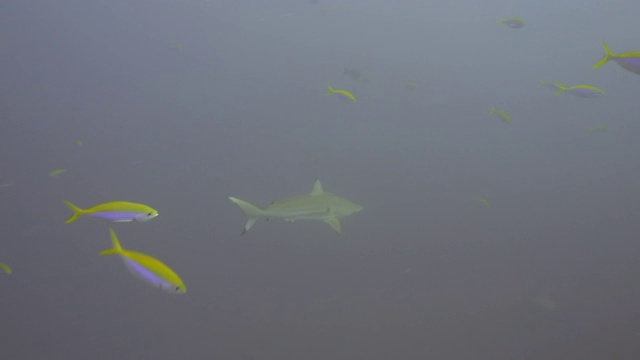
x=147 y=268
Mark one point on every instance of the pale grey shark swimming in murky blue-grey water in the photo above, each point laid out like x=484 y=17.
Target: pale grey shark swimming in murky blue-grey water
x=316 y=205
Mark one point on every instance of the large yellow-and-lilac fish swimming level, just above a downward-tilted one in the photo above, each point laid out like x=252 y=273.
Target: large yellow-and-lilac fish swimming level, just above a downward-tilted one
x=115 y=211
